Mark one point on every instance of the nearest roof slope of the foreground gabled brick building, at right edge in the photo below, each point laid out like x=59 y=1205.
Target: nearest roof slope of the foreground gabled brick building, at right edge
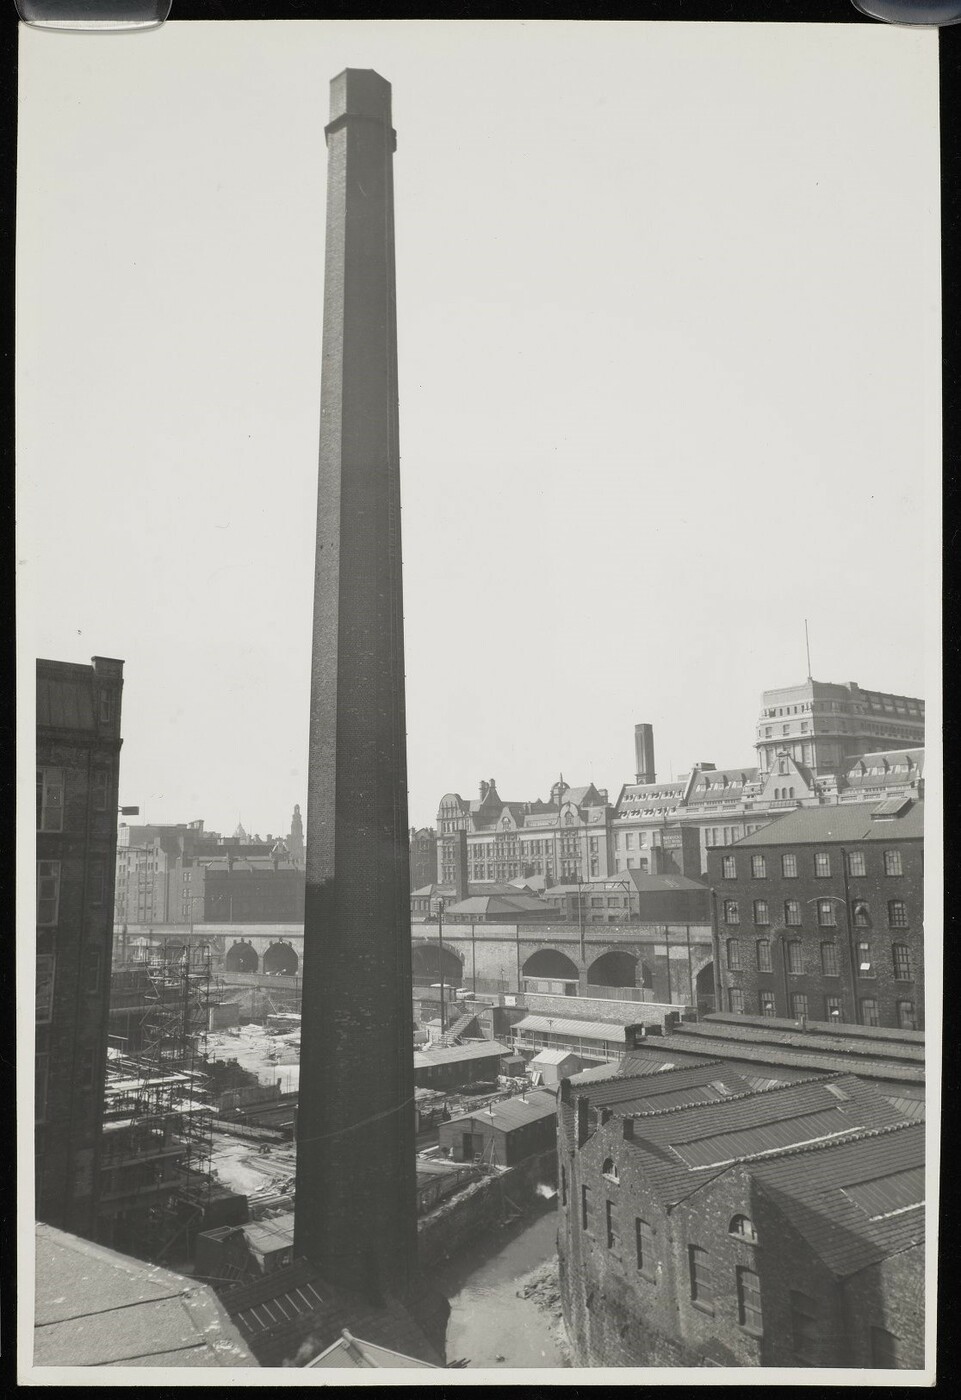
x=854 y=1228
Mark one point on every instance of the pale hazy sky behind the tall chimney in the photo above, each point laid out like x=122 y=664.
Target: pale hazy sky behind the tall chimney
x=668 y=303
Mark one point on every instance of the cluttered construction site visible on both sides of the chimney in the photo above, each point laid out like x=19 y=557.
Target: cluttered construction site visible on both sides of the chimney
x=201 y=1118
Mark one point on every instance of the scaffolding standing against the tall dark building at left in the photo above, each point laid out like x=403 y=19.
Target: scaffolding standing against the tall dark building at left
x=158 y=1128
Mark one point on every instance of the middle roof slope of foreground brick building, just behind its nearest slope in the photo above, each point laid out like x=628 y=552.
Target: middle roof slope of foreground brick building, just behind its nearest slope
x=687 y=1146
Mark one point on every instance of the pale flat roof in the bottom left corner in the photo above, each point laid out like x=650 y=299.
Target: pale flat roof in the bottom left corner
x=99 y=1308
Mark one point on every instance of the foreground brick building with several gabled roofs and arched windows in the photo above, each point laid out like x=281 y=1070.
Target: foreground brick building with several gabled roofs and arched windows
x=708 y=1223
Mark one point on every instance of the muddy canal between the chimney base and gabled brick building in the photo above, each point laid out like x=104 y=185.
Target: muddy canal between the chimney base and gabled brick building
x=490 y=1325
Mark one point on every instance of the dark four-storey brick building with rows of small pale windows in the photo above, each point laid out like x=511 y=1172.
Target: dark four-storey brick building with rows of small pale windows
x=820 y=916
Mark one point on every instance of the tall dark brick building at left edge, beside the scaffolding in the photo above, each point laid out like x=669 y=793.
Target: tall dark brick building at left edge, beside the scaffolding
x=78 y=773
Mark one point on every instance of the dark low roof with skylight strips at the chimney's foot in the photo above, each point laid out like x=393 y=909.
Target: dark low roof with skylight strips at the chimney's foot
x=295 y=1314
